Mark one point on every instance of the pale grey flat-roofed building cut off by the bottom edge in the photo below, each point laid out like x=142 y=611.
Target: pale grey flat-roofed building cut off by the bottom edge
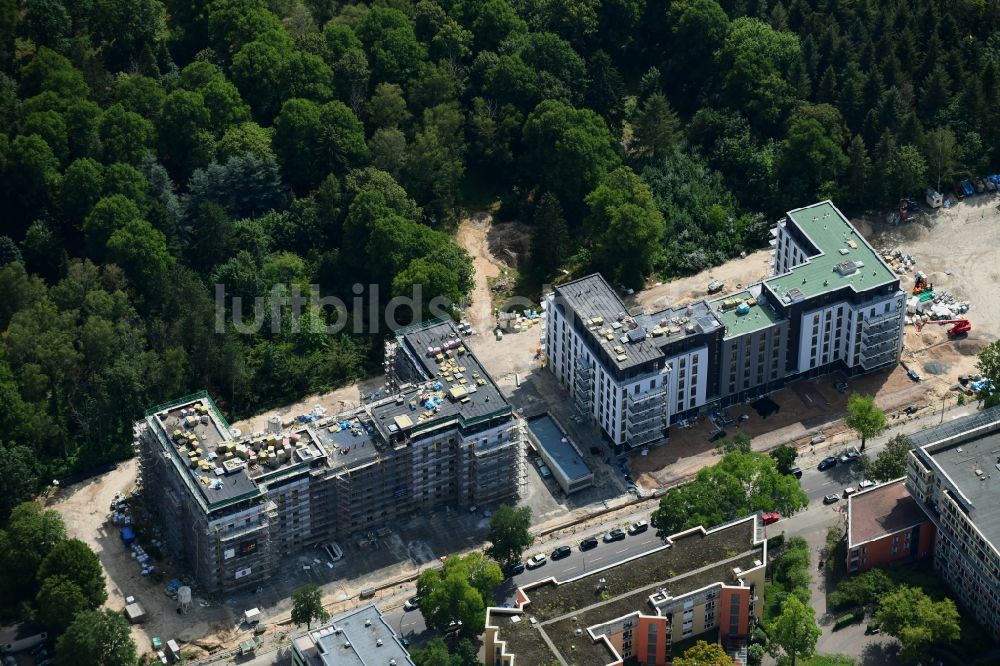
x=361 y=637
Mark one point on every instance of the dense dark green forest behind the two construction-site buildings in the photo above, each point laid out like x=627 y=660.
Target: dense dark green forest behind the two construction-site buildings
x=152 y=149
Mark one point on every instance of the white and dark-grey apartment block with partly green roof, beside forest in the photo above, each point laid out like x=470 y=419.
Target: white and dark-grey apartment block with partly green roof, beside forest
x=831 y=303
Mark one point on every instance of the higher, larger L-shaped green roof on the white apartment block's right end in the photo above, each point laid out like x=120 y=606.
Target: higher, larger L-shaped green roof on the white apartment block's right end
x=838 y=242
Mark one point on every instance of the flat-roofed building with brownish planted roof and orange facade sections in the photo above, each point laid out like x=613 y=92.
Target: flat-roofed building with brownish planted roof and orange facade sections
x=701 y=583
